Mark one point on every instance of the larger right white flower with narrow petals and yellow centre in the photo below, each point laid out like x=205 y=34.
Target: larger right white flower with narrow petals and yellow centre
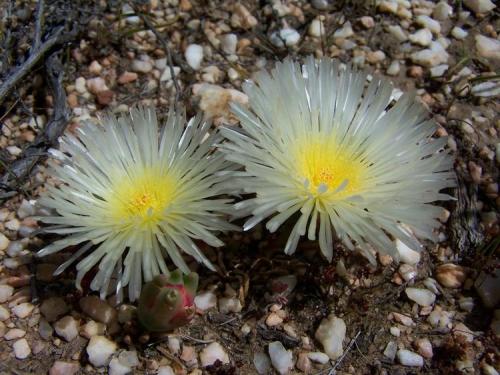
x=341 y=156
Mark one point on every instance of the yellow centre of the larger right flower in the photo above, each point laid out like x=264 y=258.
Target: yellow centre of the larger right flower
x=322 y=162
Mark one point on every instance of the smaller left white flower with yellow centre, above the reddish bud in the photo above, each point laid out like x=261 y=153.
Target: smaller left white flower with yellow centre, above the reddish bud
x=138 y=196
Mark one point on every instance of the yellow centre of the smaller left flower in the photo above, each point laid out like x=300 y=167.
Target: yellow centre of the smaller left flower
x=141 y=198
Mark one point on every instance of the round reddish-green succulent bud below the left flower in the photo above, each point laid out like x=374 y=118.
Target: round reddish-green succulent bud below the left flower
x=167 y=302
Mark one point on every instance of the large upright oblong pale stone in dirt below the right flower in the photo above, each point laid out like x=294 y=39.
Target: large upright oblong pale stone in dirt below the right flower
x=331 y=334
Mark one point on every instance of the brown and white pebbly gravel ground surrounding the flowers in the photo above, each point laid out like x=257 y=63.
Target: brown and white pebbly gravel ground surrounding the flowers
x=436 y=312
